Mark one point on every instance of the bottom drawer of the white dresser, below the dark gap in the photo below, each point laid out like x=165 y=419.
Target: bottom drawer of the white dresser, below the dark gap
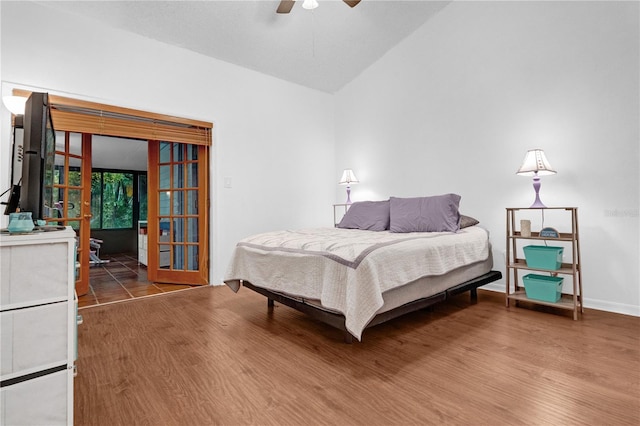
x=40 y=401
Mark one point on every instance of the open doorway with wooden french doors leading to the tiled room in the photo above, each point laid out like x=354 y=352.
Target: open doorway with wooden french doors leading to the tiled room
x=102 y=189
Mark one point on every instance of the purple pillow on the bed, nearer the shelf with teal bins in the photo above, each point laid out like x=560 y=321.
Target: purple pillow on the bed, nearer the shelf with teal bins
x=425 y=214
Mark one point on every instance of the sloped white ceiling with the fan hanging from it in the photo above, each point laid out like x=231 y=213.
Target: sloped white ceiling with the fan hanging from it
x=323 y=49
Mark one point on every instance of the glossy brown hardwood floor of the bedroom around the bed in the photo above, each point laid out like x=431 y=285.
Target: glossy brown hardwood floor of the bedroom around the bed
x=210 y=356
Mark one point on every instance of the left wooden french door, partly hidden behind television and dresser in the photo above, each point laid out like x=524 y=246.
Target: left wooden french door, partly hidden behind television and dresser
x=68 y=186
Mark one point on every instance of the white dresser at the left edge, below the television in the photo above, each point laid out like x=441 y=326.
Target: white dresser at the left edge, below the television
x=38 y=328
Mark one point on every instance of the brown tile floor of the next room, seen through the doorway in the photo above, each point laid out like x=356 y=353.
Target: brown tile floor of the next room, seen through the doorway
x=123 y=278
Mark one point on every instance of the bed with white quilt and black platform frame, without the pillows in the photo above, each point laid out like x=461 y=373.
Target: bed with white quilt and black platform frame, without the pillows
x=356 y=278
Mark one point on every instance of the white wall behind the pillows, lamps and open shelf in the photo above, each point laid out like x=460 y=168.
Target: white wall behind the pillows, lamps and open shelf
x=456 y=105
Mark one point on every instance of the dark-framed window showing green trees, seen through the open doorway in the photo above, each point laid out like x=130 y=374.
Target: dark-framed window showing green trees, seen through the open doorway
x=112 y=200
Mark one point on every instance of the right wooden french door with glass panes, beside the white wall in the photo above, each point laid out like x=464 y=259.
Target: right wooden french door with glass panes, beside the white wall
x=178 y=206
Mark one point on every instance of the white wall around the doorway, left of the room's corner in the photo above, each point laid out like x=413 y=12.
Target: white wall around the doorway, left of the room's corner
x=279 y=156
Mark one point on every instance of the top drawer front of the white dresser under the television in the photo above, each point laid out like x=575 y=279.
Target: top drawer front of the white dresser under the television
x=30 y=273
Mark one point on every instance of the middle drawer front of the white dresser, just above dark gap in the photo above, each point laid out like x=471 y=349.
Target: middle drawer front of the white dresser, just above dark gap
x=34 y=339
